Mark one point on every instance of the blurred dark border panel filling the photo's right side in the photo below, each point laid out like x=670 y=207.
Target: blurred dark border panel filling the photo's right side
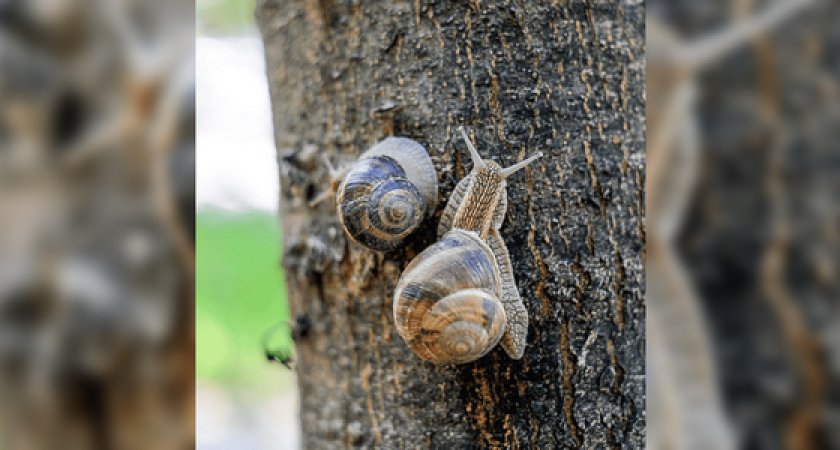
x=743 y=243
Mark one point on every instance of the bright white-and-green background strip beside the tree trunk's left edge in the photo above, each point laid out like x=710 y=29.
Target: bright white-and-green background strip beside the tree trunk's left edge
x=242 y=400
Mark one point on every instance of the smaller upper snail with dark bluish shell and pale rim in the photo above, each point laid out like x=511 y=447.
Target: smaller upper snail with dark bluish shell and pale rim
x=386 y=194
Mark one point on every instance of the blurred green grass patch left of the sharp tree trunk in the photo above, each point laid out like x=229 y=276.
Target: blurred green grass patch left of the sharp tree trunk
x=240 y=293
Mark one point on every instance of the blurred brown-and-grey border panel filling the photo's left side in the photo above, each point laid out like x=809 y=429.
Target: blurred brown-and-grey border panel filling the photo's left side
x=97 y=156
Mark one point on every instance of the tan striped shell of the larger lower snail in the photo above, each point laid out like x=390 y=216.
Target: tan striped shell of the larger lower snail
x=446 y=304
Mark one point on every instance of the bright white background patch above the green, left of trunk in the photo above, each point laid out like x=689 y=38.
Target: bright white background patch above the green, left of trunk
x=236 y=164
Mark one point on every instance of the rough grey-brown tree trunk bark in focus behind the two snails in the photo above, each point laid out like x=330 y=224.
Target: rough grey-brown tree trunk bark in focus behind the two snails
x=566 y=78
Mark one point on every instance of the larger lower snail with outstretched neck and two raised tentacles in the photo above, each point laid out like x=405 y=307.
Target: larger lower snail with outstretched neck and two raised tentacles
x=458 y=299
